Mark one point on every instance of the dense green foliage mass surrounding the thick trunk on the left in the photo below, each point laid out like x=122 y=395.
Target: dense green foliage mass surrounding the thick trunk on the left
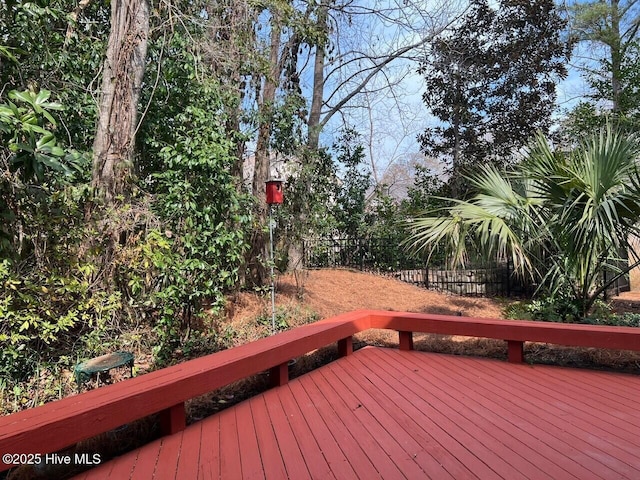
x=78 y=279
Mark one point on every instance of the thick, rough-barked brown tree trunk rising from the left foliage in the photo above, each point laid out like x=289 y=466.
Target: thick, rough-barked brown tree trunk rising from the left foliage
x=113 y=147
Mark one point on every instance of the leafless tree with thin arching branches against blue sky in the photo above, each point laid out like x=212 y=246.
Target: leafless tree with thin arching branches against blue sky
x=368 y=40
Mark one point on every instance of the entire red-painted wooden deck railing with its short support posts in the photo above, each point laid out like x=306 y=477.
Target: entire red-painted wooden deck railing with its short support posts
x=59 y=424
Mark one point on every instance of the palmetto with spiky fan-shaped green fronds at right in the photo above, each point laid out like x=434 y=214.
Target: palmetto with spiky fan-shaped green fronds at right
x=562 y=219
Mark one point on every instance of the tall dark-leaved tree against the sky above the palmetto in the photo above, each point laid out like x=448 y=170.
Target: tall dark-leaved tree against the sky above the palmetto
x=491 y=81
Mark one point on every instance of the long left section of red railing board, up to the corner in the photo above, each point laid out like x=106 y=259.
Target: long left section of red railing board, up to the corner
x=65 y=422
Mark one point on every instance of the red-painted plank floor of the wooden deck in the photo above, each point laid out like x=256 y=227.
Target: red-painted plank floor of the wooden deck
x=384 y=413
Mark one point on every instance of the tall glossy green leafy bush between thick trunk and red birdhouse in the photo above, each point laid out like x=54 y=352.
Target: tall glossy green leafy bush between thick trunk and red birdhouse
x=199 y=254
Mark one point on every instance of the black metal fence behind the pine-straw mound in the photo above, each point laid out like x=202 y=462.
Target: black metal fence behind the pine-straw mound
x=387 y=256
